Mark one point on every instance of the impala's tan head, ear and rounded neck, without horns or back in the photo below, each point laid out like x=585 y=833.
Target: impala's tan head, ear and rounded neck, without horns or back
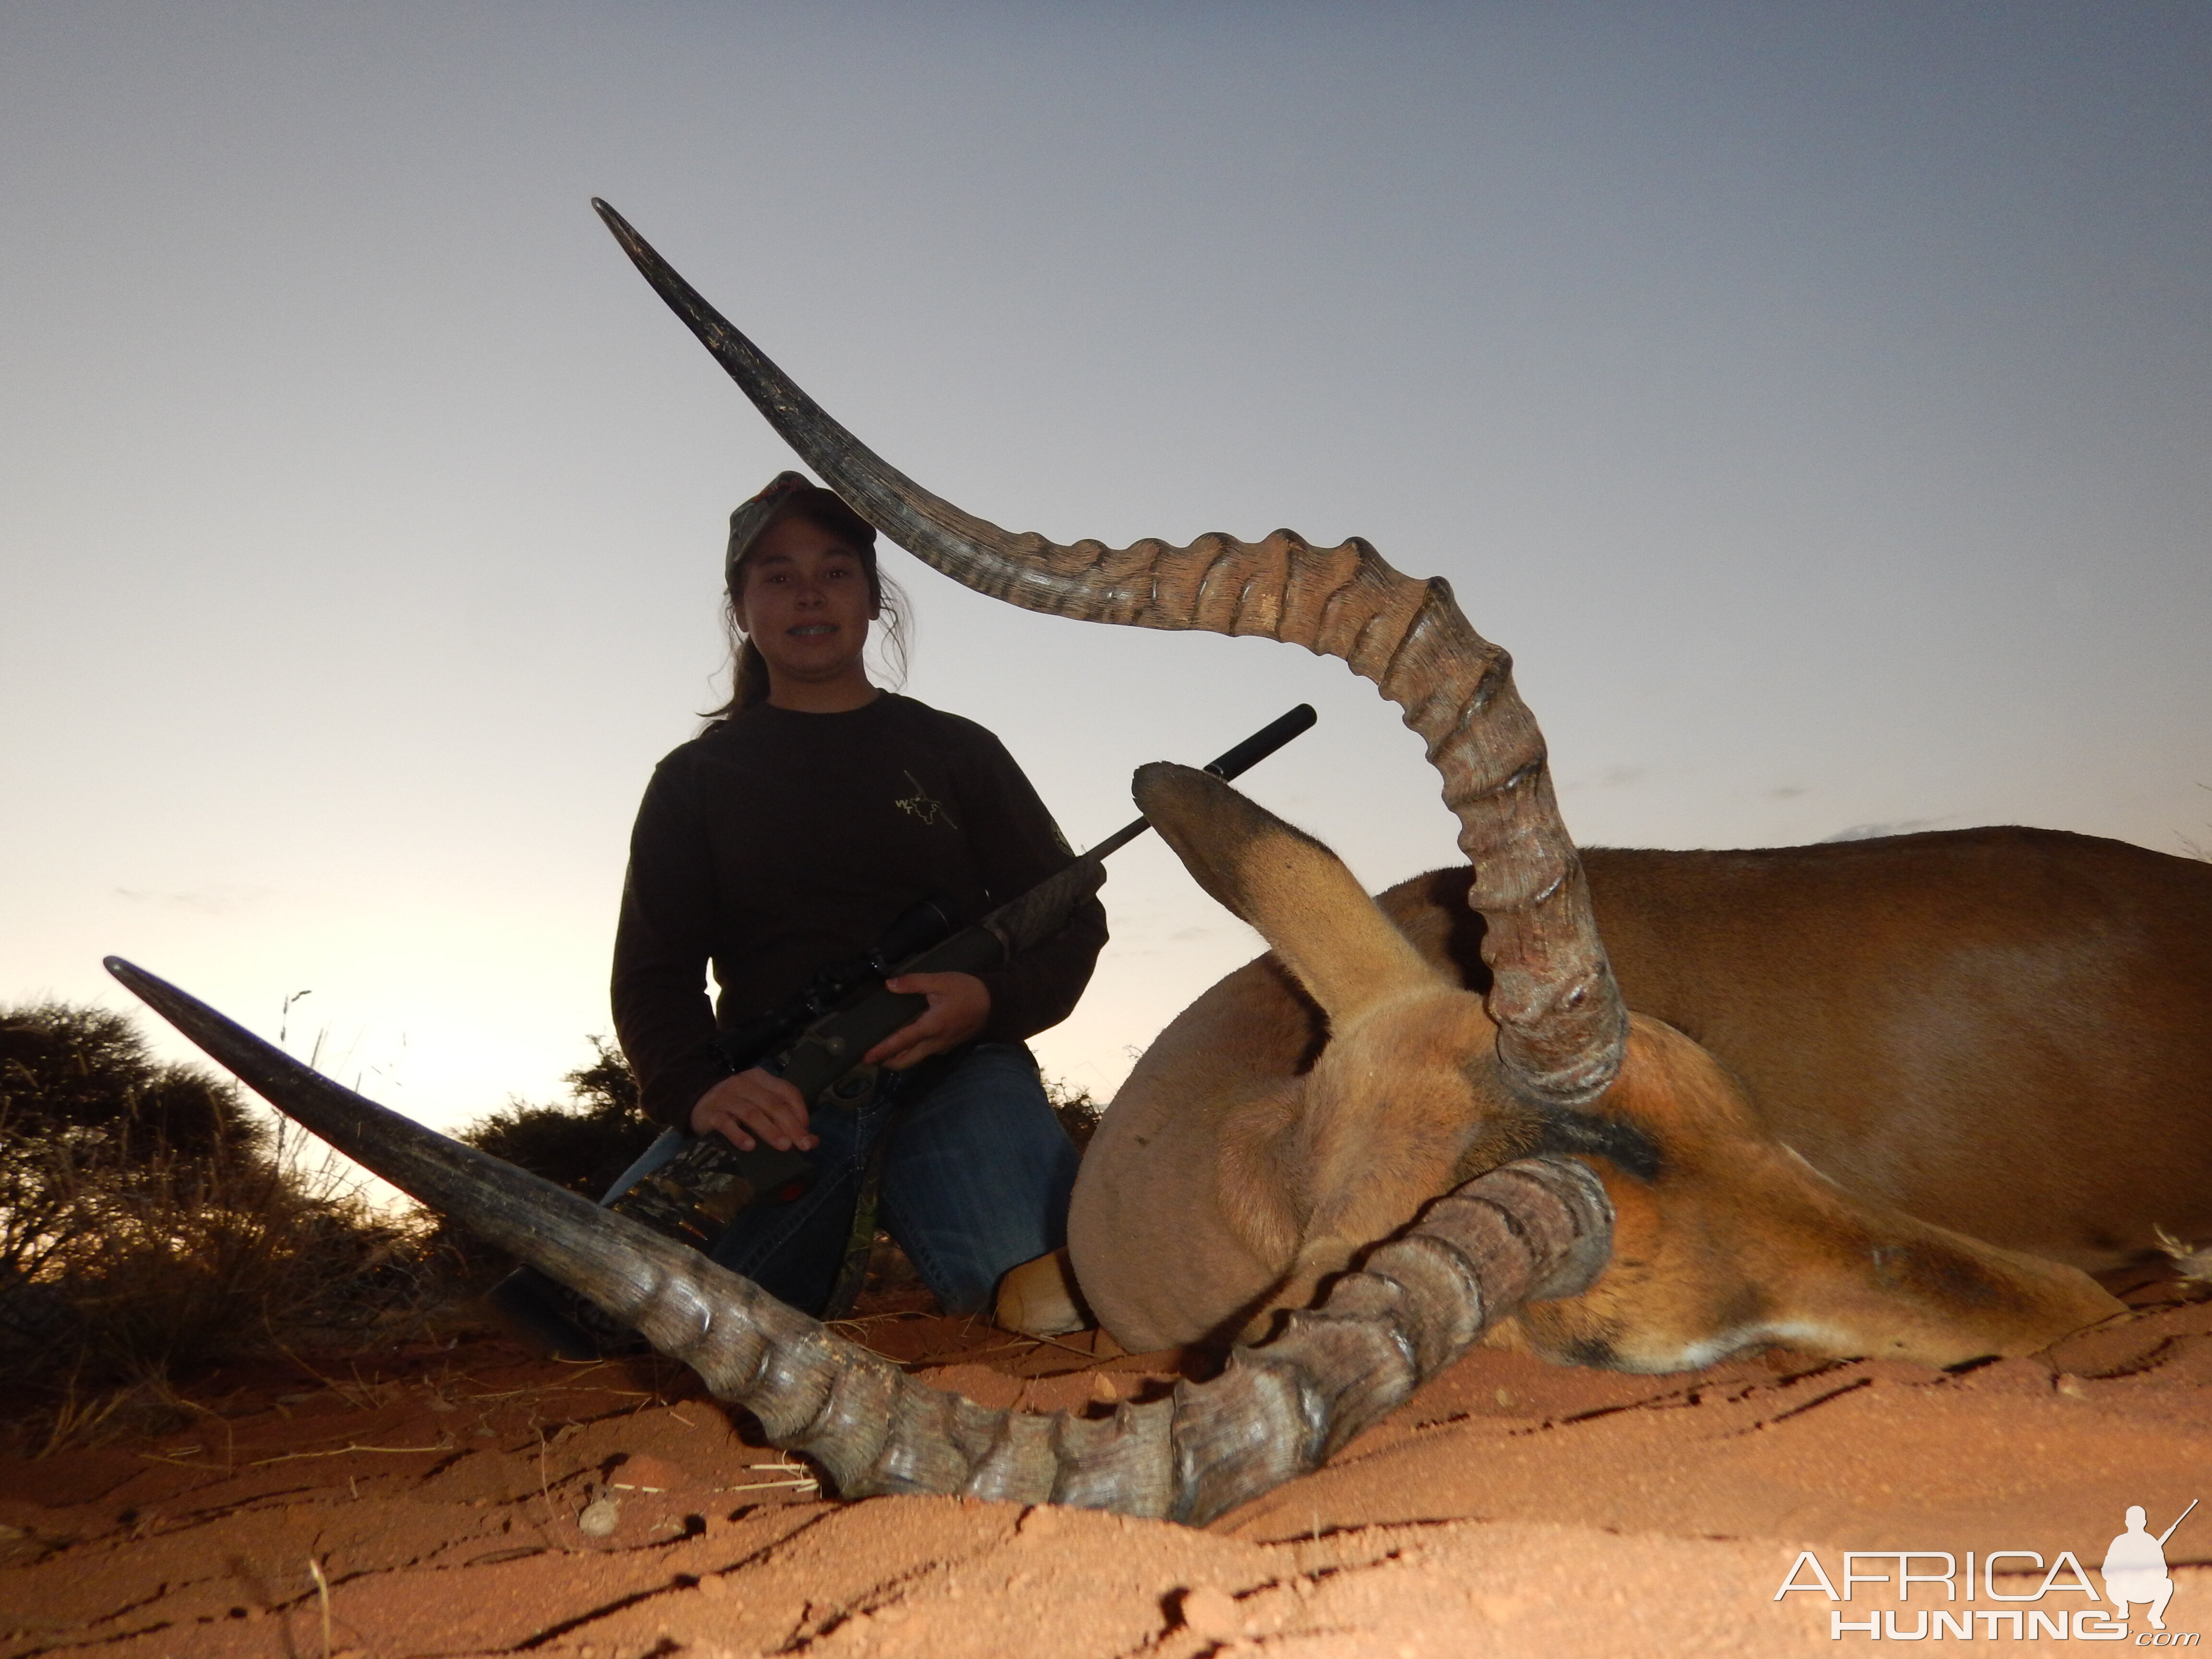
x=1311 y=1103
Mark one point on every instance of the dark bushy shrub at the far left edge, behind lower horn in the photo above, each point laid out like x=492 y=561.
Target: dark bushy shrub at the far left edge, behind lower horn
x=154 y=1224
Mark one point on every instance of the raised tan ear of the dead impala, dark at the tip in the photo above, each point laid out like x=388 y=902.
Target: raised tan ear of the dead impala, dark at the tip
x=1297 y=893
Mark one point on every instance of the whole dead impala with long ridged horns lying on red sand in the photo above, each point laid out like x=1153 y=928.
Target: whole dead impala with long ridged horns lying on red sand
x=1881 y=1098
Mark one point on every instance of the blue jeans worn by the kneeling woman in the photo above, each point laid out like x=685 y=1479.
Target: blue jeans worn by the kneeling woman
x=977 y=1180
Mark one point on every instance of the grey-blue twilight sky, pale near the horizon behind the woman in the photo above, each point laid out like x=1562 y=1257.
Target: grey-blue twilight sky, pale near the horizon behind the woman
x=1817 y=399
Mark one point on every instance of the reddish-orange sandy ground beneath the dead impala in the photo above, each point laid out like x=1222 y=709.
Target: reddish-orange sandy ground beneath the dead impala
x=474 y=1501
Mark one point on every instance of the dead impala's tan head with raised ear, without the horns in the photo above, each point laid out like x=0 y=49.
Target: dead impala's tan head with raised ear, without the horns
x=1724 y=1240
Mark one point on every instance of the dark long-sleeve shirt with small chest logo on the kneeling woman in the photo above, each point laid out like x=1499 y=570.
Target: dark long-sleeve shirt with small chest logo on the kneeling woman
x=778 y=844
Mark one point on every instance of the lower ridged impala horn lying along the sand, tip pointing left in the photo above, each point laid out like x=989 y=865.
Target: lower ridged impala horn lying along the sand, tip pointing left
x=1530 y=1229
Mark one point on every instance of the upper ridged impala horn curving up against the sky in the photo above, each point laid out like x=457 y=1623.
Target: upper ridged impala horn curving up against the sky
x=1561 y=1021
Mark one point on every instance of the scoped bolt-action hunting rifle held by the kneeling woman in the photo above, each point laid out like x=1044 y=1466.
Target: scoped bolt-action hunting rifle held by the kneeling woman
x=817 y=1039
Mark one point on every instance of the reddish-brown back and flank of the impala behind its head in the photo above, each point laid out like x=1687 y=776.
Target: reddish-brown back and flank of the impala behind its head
x=2003 y=1032
